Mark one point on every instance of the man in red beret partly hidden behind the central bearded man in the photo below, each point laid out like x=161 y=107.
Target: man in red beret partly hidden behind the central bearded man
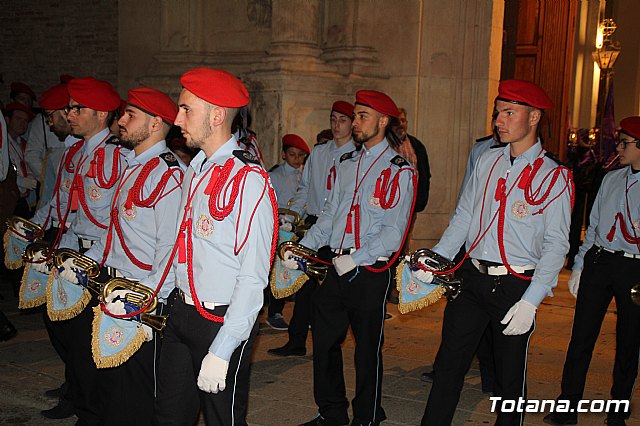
x=318 y=178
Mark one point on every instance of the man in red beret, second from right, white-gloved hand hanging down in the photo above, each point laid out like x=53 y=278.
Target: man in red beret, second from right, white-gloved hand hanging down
x=514 y=215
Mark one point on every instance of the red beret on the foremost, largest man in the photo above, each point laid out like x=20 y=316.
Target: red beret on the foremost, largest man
x=217 y=87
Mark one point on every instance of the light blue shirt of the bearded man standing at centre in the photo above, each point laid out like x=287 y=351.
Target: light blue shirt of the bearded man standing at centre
x=381 y=230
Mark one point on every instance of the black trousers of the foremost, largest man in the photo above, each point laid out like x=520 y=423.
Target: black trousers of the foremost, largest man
x=186 y=341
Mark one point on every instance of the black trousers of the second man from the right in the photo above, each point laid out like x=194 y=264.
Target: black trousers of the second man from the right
x=484 y=300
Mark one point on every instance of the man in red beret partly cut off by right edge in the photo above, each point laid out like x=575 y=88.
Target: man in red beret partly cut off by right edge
x=607 y=266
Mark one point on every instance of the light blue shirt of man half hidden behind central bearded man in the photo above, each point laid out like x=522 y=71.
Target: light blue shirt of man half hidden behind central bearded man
x=319 y=170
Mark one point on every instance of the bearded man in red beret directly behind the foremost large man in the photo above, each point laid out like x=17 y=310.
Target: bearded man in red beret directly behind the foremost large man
x=138 y=243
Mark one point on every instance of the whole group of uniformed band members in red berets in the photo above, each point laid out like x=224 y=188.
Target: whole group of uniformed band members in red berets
x=162 y=225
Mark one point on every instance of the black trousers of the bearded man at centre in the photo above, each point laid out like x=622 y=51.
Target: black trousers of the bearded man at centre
x=356 y=299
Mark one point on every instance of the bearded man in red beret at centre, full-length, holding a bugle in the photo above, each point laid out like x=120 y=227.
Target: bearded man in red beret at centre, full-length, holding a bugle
x=364 y=222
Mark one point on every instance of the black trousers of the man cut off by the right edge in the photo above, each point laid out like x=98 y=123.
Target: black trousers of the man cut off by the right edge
x=605 y=276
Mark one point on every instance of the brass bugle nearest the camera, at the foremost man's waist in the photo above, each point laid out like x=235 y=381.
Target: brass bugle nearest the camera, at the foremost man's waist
x=139 y=295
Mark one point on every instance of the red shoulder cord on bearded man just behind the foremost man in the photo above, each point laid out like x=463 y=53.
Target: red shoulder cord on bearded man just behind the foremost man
x=134 y=197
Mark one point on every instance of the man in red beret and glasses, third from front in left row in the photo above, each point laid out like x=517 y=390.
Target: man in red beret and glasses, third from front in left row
x=90 y=175
